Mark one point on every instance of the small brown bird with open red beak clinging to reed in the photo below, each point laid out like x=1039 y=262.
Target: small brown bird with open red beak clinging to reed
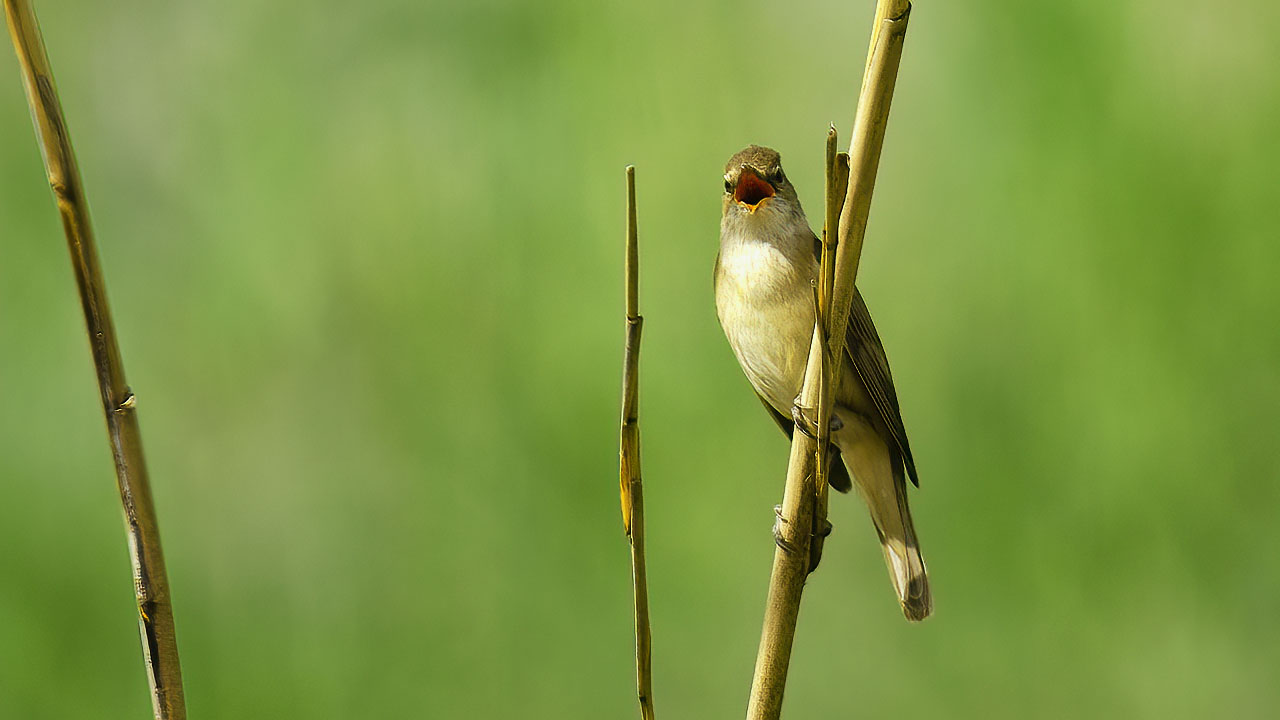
x=766 y=270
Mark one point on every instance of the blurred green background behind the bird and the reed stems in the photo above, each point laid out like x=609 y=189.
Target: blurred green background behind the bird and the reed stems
x=365 y=262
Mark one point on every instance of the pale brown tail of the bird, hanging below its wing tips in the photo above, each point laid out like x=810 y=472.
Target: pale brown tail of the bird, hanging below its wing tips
x=879 y=475
